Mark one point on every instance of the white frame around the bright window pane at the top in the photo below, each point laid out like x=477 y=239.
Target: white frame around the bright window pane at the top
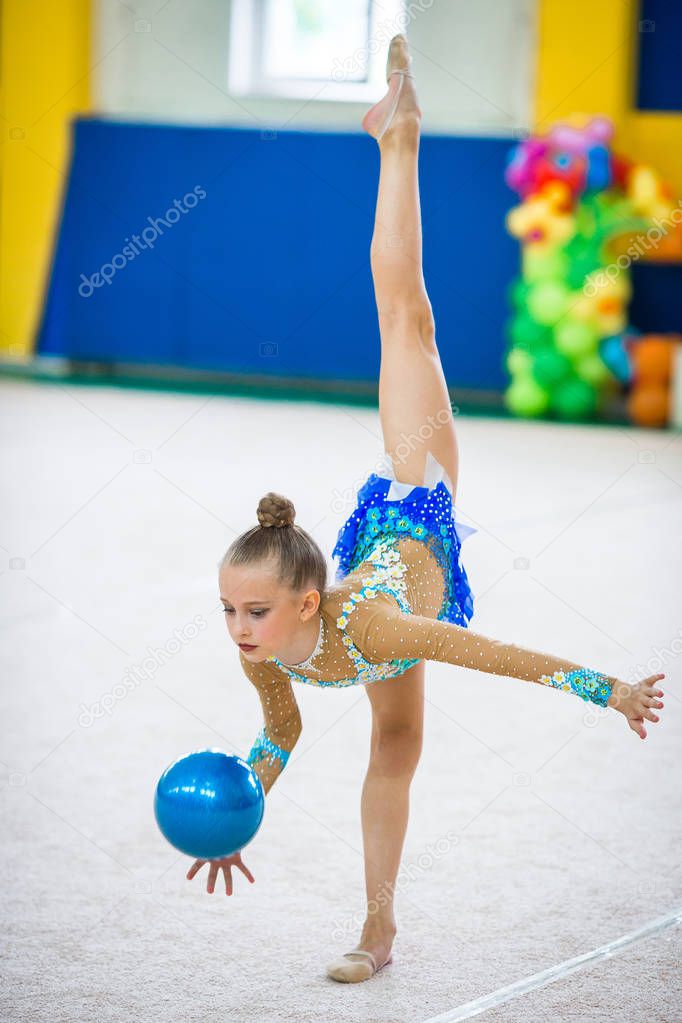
x=245 y=69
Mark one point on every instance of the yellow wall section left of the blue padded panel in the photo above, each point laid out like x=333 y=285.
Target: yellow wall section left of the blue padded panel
x=44 y=61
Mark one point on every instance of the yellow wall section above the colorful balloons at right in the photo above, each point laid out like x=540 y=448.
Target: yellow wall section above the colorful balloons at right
x=587 y=53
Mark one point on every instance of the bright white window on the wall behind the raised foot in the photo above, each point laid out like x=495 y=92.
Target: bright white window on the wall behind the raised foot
x=312 y=50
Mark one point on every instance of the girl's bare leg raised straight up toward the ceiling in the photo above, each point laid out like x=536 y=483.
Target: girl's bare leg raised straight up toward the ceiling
x=415 y=406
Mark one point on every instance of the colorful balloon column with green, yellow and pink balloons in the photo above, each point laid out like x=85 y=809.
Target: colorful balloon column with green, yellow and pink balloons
x=581 y=206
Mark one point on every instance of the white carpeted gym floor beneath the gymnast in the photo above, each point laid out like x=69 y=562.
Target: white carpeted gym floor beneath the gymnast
x=561 y=830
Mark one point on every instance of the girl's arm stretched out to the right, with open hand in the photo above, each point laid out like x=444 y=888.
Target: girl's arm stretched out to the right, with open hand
x=383 y=633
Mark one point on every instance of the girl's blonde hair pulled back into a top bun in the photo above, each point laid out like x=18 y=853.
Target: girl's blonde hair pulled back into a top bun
x=299 y=559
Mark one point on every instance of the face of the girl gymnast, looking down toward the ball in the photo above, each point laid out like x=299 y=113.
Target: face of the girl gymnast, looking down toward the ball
x=263 y=618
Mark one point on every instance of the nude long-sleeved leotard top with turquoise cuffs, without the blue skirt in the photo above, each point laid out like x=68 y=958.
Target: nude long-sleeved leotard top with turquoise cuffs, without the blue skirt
x=378 y=622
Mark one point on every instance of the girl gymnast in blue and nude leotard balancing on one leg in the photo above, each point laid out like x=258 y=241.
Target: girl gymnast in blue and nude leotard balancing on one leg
x=402 y=597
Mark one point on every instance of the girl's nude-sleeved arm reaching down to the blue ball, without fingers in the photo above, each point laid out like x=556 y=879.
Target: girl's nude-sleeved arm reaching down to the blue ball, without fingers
x=282 y=723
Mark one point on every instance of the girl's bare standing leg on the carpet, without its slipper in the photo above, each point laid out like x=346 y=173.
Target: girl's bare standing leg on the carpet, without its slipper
x=396 y=746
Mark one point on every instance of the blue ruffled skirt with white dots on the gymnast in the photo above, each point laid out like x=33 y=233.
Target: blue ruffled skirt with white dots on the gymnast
x=387 y=509
